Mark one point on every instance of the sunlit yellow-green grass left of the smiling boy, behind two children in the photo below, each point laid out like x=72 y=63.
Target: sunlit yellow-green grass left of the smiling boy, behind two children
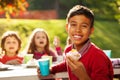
x=25 y=28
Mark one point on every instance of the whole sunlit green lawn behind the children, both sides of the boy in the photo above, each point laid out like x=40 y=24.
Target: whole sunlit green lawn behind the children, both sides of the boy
x=105 y=36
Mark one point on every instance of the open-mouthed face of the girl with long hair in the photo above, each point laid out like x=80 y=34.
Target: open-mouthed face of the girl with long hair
x=40 y=40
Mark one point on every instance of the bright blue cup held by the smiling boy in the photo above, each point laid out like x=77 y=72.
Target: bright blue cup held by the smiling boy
x=44 y=66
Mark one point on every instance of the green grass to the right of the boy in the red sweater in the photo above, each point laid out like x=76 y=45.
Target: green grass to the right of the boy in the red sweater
x=106 y=36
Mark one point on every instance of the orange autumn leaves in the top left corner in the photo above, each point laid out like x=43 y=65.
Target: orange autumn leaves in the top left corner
x=12 y=7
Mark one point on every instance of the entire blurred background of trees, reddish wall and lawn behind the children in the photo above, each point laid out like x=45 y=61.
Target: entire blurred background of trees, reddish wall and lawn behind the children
x=26 y=15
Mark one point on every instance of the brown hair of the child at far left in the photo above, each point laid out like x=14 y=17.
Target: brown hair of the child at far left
x=10 y=34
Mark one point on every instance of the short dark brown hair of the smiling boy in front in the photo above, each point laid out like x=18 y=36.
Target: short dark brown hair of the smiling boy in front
x=81 y=10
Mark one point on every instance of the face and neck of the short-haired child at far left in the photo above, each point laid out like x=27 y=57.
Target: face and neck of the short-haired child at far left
x=11 y=45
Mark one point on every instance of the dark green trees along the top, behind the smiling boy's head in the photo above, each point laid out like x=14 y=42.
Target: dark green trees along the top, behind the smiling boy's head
x=103 y=9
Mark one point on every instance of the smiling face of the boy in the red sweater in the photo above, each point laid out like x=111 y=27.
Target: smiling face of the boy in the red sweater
x=79 y=29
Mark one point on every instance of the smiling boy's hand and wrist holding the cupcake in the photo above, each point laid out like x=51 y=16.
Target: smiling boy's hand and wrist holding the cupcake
x=77 y=68
